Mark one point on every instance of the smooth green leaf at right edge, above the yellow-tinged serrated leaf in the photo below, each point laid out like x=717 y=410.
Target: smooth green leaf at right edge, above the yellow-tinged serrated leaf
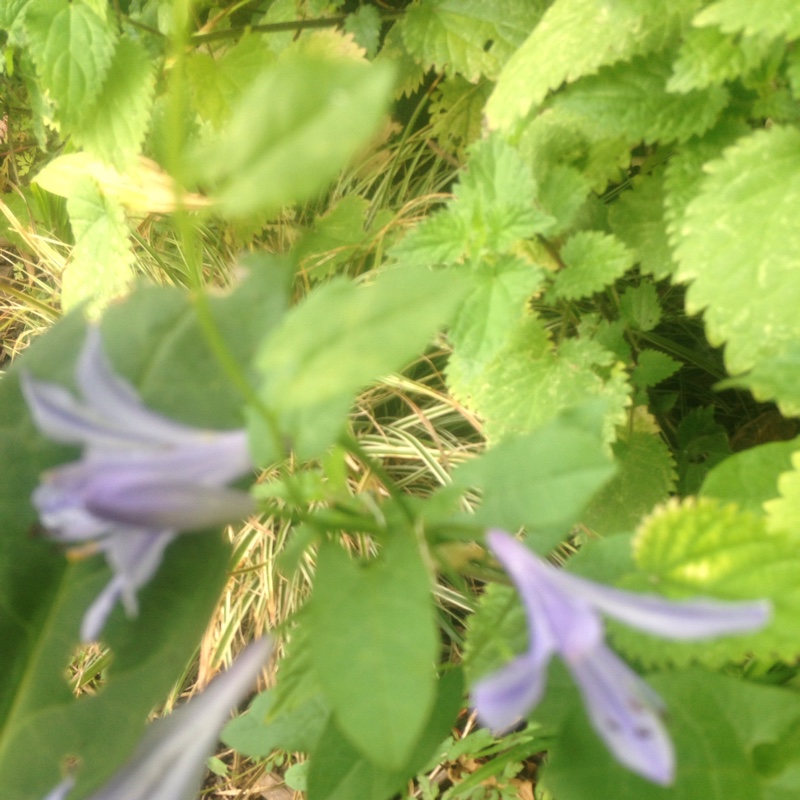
x=750 y=478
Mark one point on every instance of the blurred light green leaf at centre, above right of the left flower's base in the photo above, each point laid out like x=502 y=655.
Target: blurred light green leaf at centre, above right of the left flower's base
x=309 y=375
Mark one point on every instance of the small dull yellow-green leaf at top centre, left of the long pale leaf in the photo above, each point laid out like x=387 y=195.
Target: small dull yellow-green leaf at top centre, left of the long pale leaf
x=456 y=110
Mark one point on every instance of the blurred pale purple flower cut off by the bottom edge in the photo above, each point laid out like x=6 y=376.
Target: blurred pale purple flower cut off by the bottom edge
x=170 y=761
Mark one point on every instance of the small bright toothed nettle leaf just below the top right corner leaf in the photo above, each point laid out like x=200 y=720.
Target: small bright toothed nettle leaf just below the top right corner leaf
x=707 y=56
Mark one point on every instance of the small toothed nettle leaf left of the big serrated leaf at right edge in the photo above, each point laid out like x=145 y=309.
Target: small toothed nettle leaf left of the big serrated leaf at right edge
x=592 y=261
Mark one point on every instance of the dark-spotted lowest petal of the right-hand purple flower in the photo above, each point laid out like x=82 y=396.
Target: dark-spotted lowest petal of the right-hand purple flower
x=626 y=713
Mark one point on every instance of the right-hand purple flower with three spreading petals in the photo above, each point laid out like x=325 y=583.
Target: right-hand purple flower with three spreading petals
x=563 y=613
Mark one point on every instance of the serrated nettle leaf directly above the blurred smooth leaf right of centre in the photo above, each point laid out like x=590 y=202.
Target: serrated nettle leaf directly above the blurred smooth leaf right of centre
x=549 y=379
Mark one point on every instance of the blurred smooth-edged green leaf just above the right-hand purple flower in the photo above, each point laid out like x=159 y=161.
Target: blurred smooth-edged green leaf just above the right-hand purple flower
x=542 y=480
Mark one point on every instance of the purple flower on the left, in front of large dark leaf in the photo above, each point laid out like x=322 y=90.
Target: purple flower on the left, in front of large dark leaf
x=141 y=478
